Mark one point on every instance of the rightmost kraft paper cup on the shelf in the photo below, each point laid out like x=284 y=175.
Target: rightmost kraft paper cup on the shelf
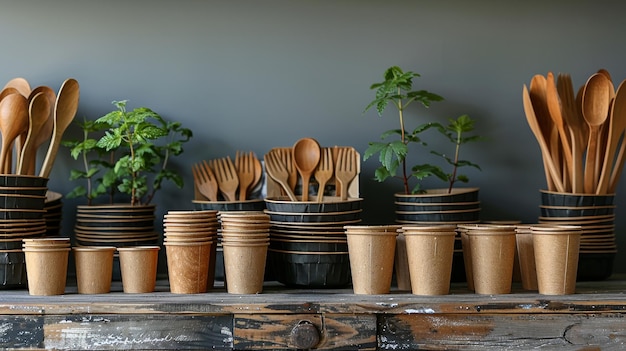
x=556 y=257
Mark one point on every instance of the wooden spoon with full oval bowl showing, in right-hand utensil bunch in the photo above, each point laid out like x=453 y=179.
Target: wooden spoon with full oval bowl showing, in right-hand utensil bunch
x=596 y=103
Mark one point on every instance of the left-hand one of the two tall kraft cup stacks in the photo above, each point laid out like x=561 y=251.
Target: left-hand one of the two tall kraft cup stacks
x=190 y=239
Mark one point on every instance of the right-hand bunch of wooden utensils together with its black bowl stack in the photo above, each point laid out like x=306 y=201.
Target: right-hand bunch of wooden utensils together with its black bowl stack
x=581 y=138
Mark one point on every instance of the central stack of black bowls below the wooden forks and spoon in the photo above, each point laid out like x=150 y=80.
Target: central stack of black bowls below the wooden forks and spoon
x=308 y=244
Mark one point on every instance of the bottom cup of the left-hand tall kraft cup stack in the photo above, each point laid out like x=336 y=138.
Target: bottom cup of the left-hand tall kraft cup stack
x=188 y=266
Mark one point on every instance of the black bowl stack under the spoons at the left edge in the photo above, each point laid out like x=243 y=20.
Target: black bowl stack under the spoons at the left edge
x=22 y=201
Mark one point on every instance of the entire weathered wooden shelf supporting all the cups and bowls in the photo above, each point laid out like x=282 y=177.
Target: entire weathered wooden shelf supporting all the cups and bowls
x=282 y=318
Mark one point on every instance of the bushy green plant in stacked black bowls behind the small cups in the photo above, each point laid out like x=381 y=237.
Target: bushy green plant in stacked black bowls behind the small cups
x=125 y=158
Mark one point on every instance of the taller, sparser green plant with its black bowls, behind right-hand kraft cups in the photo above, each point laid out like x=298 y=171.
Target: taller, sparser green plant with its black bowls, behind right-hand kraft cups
x=417 y=204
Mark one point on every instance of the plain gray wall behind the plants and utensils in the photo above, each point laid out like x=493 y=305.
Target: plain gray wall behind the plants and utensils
x=252 y=75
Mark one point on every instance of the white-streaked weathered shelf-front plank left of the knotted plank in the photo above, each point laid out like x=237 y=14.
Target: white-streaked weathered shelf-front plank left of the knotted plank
x=135 y=332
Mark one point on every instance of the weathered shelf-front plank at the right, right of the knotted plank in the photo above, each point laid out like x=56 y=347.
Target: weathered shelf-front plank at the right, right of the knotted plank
x=502 y=332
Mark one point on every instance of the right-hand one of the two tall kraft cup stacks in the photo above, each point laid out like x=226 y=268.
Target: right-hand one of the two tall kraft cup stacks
x=245 y=237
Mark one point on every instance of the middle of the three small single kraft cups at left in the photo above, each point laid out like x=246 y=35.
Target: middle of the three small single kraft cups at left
x=94 y=269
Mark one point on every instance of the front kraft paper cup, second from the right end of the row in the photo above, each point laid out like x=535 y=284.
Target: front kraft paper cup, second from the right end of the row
x=493 y=256
